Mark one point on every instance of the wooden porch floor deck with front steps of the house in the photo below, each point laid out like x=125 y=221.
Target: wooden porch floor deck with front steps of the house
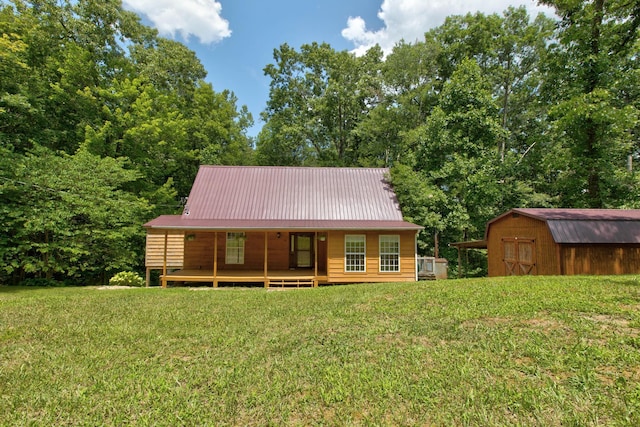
x=279 y=278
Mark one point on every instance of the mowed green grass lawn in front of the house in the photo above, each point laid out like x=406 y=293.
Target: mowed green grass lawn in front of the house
x=524 y=351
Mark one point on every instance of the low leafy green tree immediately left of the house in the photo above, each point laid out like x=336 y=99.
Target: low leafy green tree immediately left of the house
x=70 y=217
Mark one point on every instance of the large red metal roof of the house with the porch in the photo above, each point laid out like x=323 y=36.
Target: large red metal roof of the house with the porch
x=255 y=197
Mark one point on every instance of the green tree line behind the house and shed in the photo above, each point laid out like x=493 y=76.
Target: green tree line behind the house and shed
x=103 y=124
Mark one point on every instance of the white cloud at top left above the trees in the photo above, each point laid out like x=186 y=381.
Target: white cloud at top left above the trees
x=199 y=18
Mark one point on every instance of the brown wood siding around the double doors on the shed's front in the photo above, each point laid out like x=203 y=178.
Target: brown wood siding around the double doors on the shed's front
x=514 y=227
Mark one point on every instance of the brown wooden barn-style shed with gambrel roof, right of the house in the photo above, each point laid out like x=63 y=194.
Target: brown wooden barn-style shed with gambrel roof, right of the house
x=564 y=242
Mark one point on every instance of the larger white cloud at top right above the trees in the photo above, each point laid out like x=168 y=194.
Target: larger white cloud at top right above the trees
x=408 y=20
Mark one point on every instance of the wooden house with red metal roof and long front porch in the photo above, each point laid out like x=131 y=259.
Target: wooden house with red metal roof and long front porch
x=285 y=226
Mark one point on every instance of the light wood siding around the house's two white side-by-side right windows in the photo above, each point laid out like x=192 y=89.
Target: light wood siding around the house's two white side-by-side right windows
x=336 y=258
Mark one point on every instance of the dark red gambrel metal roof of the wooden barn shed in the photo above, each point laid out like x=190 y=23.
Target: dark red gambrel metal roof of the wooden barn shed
x=586 y=226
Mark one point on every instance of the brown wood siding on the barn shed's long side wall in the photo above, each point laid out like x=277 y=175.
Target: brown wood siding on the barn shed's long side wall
x=600 y=259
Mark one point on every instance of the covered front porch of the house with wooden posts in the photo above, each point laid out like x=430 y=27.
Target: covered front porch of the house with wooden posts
x=287 y=258
